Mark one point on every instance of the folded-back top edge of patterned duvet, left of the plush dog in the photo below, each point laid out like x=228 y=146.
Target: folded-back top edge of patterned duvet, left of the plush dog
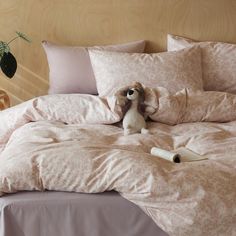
x=69 y=109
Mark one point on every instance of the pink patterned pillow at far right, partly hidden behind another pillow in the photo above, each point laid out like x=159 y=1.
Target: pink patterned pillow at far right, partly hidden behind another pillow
x=218 y=62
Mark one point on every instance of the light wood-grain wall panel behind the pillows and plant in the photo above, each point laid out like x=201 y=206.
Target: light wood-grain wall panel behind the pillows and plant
x=97 y=22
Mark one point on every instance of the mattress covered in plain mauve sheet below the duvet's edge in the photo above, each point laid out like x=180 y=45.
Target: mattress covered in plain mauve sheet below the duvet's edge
x=73 y=214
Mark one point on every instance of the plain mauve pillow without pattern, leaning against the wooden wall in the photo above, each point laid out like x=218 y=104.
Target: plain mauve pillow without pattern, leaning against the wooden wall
x=70 y=69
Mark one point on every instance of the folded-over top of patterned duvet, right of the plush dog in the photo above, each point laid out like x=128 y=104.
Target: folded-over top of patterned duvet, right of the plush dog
x=195 y=106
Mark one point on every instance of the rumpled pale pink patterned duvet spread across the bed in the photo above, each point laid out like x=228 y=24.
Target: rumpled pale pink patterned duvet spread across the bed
x=73 y=146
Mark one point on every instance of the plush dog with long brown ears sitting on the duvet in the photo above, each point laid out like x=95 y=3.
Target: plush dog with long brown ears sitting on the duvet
x=133 y=121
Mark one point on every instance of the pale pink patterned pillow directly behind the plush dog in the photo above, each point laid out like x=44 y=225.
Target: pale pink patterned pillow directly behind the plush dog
x=172 y=70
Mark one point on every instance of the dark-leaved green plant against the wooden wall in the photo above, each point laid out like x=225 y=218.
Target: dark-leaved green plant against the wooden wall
x=8 y=62
